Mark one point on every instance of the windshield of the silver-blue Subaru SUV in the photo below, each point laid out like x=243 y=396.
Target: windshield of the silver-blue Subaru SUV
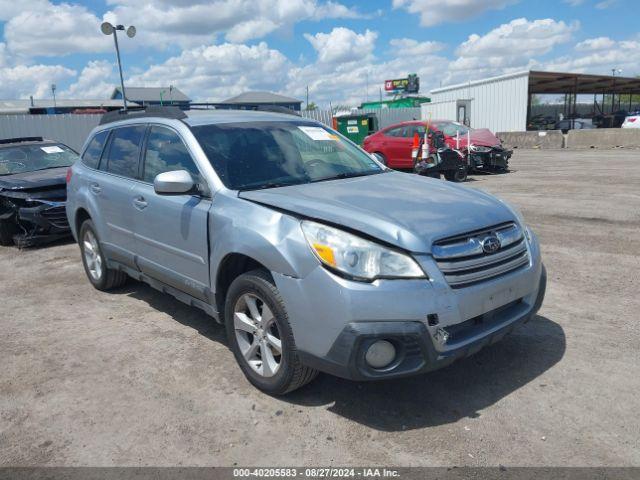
x=274 y=154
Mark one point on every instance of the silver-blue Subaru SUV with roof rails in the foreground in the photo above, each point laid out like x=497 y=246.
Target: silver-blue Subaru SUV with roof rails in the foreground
x=315 y=256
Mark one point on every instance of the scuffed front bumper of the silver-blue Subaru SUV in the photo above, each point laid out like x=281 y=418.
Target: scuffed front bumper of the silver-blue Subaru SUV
x=428 y=323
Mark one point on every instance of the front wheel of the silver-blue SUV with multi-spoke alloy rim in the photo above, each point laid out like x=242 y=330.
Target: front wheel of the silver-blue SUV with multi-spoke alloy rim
x=260 y=336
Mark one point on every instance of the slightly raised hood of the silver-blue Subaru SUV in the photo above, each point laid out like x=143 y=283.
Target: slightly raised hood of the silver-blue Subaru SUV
x=401 y=209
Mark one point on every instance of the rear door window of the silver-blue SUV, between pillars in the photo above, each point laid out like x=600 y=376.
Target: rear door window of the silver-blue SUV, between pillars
x=124 y=151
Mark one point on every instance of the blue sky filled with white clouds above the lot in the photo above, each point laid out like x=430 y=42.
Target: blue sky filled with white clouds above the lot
x=216 y=49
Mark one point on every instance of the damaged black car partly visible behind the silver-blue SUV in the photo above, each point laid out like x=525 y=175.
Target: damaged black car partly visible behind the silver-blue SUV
x=33 y=190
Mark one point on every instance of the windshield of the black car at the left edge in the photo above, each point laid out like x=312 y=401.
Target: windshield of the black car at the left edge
x=28 y=158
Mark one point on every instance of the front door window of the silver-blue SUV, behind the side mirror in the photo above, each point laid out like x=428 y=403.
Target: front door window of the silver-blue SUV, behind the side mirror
x=166 y=152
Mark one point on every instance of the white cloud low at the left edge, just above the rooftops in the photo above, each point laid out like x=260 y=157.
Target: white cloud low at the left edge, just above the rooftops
x=22 y=80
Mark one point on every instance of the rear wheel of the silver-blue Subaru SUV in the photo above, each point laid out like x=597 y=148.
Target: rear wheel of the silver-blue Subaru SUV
x=95 y=265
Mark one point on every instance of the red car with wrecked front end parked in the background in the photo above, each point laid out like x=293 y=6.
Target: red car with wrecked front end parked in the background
x=392 y=145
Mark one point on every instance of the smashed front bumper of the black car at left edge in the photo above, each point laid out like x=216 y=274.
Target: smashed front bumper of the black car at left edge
x=37 y=221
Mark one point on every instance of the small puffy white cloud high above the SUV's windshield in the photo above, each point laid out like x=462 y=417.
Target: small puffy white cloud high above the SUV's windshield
x=342 y=45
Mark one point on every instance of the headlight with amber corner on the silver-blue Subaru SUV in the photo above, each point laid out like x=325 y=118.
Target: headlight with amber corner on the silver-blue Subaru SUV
x=356 y=257
